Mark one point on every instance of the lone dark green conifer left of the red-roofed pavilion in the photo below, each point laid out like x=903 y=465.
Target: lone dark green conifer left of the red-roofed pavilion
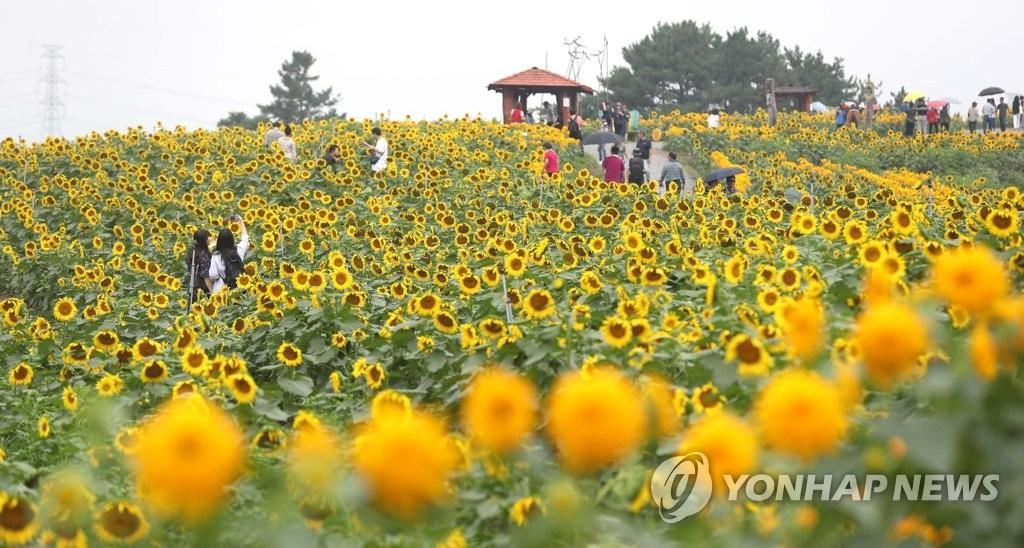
x=294 y=99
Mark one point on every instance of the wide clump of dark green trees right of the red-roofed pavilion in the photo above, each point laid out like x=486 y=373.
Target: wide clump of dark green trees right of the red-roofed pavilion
x=691 y=67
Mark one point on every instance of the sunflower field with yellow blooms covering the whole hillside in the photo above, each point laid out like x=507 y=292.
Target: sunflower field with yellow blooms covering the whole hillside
x=462 y=352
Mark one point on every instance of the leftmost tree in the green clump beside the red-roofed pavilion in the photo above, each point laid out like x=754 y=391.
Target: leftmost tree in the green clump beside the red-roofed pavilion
x=673 y=67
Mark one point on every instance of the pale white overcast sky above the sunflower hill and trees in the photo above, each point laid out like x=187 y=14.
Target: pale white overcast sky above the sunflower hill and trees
x=190 y=62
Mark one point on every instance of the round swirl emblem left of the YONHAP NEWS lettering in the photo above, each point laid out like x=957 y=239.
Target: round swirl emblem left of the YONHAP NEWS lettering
x=681 y=487
